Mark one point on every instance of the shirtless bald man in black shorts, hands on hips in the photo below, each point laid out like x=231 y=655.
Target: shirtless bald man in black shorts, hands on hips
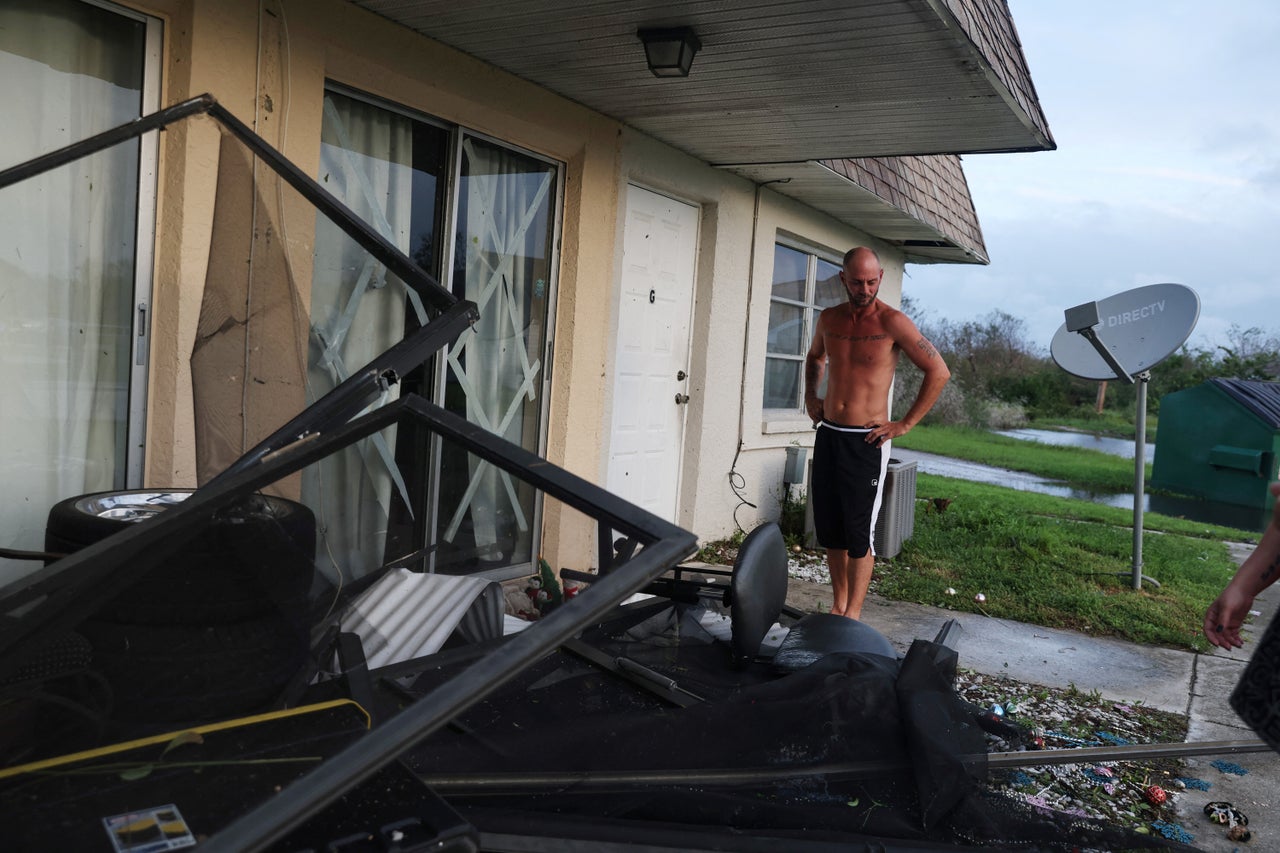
x=858 y=345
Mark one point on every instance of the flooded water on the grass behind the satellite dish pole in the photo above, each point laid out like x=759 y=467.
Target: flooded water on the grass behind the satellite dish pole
x=1206 y=512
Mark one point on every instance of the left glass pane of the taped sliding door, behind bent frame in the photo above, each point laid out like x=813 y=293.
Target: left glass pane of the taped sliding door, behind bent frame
x=391 y=170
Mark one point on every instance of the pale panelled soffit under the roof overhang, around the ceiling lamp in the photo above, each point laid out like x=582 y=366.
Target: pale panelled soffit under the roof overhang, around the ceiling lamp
x=780 y=85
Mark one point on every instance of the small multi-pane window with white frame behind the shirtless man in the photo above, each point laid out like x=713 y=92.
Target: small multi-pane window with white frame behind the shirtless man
x=803 y=286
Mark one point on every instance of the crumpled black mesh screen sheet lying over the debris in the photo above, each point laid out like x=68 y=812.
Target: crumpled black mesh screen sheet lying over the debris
x=856 y=749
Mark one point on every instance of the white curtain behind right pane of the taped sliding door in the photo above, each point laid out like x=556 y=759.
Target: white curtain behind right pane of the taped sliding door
x=505 y=239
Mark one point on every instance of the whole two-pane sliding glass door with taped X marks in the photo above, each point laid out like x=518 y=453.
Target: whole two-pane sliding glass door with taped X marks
x=376 y=500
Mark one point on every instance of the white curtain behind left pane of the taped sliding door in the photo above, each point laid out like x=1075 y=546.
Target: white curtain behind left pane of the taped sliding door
x=358 y=312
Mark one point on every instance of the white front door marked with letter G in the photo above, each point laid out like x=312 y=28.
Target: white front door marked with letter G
x=660 y=250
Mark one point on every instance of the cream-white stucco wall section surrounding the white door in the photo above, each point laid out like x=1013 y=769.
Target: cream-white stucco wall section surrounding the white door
x=732 y=311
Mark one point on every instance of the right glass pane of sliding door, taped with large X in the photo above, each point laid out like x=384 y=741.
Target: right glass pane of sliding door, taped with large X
x=504 y=263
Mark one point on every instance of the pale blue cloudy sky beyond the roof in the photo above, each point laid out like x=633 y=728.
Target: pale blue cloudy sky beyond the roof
x=1167 y=116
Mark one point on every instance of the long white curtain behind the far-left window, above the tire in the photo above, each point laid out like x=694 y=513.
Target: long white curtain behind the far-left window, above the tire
x=67 y=262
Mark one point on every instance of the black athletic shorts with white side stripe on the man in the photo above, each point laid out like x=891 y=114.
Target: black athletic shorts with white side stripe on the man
x=847 y=487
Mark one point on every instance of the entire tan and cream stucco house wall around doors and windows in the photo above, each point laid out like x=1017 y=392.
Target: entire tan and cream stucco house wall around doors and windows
x=268 y=63
